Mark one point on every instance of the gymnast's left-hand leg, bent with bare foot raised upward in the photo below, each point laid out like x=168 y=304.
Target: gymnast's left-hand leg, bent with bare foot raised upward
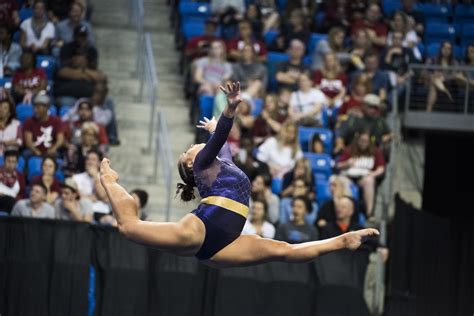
x=182 y=238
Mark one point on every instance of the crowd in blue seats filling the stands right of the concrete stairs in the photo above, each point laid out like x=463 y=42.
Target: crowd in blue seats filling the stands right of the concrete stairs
x=317 y=80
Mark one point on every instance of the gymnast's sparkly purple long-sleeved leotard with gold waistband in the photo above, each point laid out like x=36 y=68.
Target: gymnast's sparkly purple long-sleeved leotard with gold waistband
x=224 y=189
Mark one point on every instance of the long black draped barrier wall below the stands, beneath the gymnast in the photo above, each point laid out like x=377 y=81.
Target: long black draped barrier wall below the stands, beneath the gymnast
x=44 y=270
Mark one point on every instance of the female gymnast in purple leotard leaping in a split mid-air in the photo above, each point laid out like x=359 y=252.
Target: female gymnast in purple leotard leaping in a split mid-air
x=212 y=231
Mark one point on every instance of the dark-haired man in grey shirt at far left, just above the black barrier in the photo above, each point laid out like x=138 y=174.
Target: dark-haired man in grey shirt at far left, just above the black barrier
x=35 y=206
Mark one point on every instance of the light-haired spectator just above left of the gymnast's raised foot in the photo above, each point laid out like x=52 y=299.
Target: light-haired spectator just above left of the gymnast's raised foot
x=76 y=155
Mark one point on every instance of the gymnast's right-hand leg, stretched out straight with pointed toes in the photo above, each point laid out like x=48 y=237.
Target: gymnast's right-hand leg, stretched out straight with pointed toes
x=252 y=249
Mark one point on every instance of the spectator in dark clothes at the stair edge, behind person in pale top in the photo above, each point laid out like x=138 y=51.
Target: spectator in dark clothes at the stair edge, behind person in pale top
x=199 y=46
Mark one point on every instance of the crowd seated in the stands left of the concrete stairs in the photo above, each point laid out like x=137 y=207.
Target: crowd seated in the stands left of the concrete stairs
x=56 y=119
